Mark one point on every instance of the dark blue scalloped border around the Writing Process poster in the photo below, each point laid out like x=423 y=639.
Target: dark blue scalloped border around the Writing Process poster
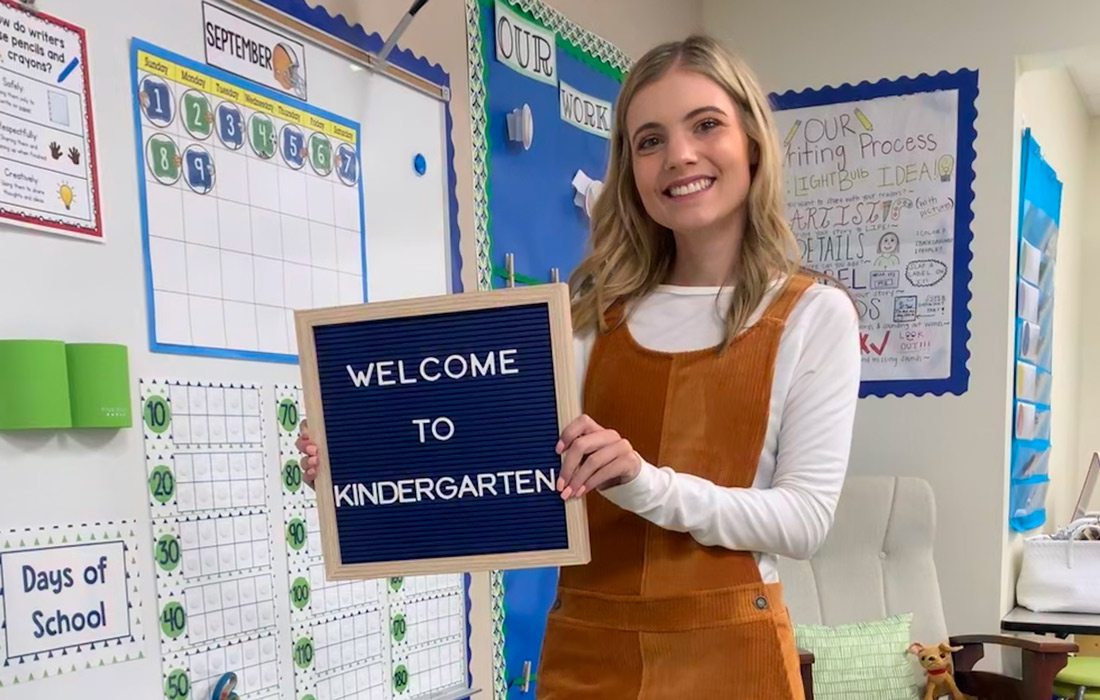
x=966 y=82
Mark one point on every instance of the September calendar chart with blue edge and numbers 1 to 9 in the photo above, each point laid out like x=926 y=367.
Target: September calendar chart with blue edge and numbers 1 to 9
x=251 y=209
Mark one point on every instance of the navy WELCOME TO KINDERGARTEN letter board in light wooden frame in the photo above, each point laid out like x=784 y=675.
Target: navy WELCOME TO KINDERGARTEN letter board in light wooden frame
x=436 y=421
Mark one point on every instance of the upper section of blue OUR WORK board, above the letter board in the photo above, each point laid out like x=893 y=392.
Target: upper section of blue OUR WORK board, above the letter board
x=525 y=199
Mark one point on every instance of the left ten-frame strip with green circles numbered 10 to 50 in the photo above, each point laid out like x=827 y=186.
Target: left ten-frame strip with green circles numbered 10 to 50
x=212 y=535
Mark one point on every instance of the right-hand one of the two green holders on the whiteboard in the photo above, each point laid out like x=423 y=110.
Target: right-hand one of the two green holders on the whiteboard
x=100 y=386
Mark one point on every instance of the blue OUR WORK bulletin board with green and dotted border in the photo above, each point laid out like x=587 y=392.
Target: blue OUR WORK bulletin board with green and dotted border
x=529 y=205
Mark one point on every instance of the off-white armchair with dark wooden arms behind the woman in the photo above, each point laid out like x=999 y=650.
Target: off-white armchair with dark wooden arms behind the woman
x=877 y=562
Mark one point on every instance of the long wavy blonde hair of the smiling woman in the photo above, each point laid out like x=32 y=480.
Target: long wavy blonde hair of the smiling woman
x=630 y=254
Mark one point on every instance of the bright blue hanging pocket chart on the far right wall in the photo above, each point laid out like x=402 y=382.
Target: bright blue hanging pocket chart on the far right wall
x=1039 y=221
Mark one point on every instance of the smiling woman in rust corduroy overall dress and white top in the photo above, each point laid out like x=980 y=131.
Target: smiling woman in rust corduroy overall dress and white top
x=720 y=388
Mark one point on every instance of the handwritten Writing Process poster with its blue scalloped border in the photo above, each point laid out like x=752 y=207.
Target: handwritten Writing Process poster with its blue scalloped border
x=878 y=188
